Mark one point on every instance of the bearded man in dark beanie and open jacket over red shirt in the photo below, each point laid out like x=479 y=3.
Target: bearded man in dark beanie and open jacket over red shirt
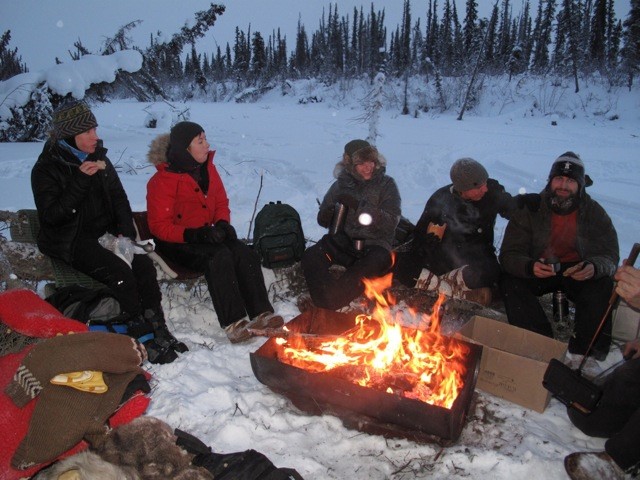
x=569 y=244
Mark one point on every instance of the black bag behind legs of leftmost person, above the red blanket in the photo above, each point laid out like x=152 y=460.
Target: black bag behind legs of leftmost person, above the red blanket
x=95 y=307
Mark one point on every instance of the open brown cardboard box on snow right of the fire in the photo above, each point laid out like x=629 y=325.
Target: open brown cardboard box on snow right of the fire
x=513 y=360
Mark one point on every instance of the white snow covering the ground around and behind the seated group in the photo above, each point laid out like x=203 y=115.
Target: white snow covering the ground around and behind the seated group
x=291 y=150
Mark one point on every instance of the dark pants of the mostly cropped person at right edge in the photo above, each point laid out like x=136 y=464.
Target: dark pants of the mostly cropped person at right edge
x=617 y=416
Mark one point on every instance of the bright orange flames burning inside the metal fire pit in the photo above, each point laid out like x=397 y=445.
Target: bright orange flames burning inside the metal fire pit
x=380 y=353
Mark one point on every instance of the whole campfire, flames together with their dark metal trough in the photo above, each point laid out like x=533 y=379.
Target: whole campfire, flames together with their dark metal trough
x=372 y=371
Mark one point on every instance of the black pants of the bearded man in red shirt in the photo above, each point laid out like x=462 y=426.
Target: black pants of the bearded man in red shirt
x=590 y=297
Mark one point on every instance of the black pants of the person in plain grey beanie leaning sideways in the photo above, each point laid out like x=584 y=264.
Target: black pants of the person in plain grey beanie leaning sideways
x=483 y=270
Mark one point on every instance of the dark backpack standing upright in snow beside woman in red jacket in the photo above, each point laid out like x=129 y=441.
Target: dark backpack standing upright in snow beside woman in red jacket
x=278 y=236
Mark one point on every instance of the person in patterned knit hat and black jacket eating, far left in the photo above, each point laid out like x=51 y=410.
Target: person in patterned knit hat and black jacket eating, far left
x=79 y=198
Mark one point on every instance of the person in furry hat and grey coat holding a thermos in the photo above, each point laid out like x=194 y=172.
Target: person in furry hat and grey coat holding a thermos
x=362 y=207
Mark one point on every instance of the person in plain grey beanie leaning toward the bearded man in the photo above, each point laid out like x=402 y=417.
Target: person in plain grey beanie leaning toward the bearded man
x=452 y=251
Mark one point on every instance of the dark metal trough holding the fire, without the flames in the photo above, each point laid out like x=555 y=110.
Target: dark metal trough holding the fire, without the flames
x=361 y=408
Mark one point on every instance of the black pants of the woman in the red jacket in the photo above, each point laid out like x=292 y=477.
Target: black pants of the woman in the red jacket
x=233 y=273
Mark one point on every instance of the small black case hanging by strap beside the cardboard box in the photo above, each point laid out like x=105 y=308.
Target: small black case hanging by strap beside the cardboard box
x=570 y=387
